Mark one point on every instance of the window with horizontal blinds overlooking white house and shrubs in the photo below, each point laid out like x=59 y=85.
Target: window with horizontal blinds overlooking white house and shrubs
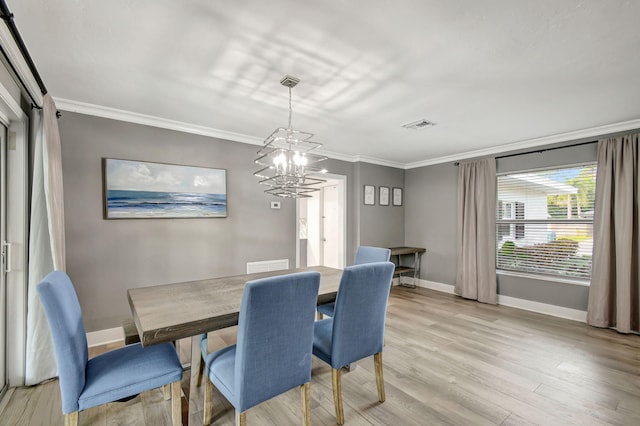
x=544 y=221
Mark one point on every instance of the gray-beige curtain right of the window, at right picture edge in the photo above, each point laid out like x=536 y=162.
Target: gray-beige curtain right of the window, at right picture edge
x=614 y=295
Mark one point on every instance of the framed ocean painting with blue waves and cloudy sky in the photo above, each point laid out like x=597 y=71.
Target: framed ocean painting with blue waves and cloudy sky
x=143 y=190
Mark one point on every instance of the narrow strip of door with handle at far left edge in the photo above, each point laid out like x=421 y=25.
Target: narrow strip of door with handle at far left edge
x=5 y=258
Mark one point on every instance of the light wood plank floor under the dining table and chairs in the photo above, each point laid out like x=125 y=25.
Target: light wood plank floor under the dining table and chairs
x=446 y=361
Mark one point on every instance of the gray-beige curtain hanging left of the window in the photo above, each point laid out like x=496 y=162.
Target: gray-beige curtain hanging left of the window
x=476 y=266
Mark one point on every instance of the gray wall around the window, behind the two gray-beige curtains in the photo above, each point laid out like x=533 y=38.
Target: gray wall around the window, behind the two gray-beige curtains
x=430 y=221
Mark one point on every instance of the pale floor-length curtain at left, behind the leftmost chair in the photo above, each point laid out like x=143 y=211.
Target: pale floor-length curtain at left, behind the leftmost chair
x=46 y=237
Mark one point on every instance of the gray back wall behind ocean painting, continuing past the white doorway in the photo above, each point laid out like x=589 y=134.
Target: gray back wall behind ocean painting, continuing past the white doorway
x=106 y=257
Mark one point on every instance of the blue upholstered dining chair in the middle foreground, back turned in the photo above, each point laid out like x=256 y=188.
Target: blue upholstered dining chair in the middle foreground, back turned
x=273 y=350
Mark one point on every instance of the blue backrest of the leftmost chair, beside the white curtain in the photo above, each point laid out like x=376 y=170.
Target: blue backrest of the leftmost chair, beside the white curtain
x=63 y=313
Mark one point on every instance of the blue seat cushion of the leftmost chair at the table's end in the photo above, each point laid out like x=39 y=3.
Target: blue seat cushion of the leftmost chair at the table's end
x=127 y=371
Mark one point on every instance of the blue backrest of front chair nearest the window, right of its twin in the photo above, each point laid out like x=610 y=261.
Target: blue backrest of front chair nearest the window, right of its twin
x=360 y=311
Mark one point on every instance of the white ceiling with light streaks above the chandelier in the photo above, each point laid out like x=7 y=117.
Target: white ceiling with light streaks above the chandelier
x=490 y=73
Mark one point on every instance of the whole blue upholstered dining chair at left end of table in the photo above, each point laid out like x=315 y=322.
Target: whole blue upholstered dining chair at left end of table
x=111 y=376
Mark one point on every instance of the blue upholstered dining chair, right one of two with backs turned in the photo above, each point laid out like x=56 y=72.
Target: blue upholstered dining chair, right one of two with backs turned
x=356 y=330
